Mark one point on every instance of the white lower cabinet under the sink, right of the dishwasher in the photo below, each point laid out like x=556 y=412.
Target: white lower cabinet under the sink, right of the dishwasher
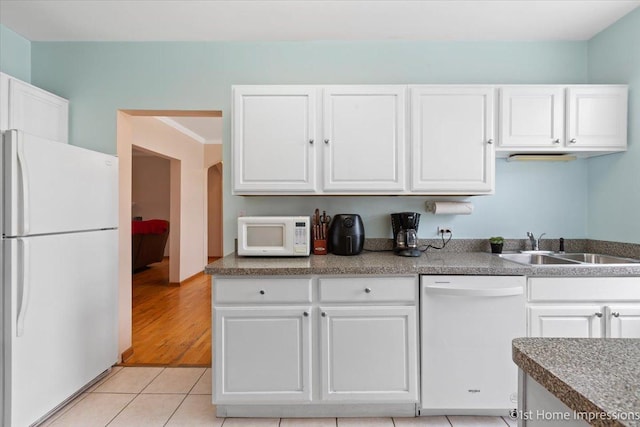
x=584 y=307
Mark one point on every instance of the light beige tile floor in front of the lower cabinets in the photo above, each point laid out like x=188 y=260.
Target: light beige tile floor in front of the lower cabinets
x=181 y=397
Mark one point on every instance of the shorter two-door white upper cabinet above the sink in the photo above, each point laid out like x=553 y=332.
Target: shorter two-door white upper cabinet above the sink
x=584 y=119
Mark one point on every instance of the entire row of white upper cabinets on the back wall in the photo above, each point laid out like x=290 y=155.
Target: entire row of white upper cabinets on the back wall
x=442 y=140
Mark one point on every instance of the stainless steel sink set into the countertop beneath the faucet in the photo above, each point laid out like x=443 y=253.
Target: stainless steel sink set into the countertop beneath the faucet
x=573 y=259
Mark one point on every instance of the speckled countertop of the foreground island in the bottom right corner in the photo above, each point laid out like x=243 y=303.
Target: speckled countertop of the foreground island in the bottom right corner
x=593 y=375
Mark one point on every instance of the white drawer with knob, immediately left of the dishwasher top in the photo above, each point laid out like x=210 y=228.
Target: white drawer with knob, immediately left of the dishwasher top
x=369 y=289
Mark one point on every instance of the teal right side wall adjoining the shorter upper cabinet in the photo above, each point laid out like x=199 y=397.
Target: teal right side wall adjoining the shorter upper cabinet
x=614 y=181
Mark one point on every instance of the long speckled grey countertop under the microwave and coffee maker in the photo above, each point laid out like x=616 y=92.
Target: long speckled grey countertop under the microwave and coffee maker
x=478 y=263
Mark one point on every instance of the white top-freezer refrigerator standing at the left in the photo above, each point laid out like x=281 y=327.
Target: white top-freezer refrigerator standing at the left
x=59 y=273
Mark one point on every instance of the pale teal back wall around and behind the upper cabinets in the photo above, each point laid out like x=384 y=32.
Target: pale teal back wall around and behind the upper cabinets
x=100 y=78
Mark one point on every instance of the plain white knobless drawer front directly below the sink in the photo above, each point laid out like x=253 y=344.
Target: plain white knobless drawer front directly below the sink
x=584 y=289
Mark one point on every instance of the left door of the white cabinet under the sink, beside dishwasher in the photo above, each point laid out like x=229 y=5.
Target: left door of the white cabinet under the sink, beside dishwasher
x=579 y=321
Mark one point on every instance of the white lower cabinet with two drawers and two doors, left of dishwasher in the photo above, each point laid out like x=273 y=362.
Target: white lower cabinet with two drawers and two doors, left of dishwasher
x=320 y=340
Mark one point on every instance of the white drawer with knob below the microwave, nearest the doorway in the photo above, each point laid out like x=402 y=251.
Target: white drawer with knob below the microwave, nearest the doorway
x=272 y=290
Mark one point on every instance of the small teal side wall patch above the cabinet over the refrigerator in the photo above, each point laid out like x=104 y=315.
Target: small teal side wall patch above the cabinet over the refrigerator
x=15 y=54
